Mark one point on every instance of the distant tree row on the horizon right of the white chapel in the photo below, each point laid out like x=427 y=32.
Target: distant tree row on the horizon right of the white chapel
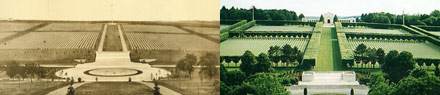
x=419 y=19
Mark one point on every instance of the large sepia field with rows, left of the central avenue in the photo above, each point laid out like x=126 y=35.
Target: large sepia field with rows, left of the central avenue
x=53 y=40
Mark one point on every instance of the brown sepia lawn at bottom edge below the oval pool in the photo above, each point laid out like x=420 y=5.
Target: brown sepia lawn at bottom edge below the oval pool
x=113 y=88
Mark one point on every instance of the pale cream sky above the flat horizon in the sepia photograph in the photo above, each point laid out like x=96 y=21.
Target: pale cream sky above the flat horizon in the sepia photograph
x=126 y=10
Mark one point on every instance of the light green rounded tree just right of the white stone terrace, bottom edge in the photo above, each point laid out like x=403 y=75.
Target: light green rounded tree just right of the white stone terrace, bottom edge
x=378 y=85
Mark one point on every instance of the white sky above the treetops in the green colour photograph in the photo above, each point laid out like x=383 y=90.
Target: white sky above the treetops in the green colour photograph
x=339 y=7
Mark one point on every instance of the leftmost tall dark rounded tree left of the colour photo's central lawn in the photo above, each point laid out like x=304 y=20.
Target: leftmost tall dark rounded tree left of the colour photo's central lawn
x=247 y=62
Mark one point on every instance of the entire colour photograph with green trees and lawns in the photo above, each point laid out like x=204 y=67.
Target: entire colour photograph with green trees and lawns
x=329 y=47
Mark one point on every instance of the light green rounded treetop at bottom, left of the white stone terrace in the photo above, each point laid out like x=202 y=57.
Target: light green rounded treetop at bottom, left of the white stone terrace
x=266 y=84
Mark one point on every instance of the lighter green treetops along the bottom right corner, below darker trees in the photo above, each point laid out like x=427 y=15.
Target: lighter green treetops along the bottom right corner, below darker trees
x=419 y=82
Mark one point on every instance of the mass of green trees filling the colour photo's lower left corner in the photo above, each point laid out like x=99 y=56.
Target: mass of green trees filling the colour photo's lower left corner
x=254 y=77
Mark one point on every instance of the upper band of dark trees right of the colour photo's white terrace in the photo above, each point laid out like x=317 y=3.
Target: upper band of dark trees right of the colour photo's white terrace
x=396 y=64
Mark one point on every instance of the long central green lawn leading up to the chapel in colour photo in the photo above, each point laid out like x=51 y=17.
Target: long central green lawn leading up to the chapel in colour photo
x=329 y=56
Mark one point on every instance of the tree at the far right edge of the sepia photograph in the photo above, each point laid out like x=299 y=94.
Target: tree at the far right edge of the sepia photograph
x=208 y=63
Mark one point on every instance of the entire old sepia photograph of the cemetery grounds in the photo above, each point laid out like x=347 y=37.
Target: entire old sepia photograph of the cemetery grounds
x=109 y=47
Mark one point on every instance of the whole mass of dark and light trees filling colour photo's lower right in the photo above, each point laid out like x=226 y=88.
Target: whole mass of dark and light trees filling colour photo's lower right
x=399 y=75
